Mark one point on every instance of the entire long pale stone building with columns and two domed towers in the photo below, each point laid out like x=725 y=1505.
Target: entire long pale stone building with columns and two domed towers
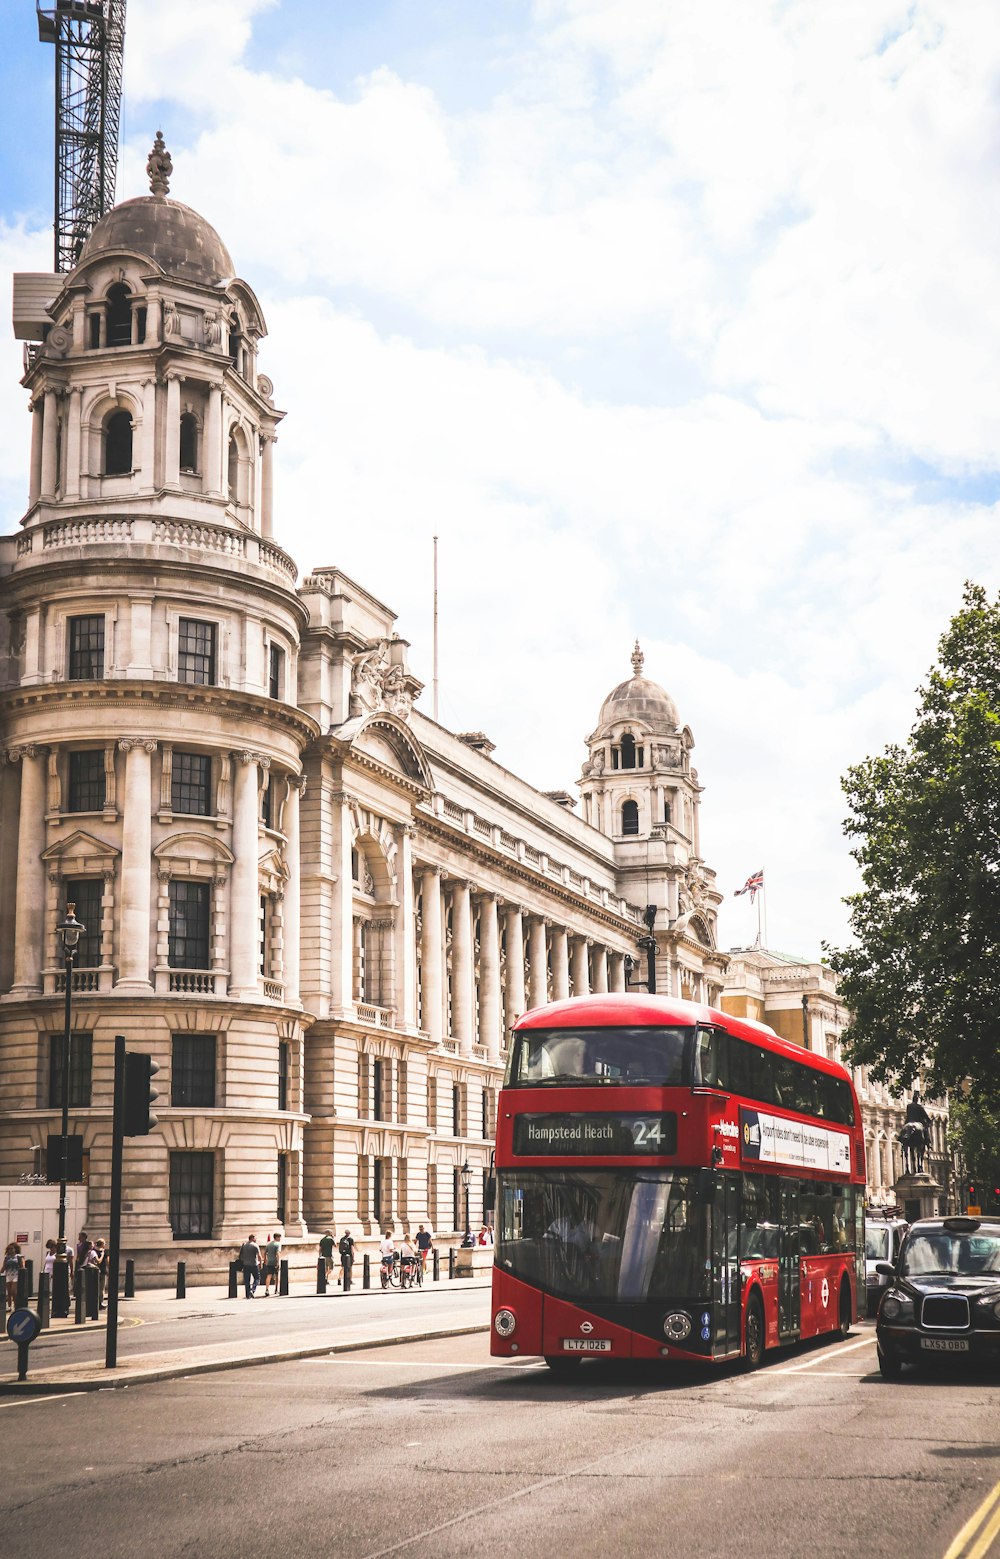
x=317 y=910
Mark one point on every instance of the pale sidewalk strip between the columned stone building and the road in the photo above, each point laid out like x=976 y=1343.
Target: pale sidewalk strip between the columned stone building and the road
x=296 y=1326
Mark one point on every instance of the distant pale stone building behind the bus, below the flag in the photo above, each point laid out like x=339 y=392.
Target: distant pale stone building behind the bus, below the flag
x=803 y=1005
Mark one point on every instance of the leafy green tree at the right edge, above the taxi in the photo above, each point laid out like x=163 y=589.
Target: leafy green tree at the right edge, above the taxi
x=923 y=977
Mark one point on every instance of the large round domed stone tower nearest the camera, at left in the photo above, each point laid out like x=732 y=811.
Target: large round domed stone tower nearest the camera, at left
x=152 y=741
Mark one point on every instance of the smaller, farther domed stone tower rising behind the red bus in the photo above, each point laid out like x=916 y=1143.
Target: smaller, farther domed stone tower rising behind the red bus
x=640 y=790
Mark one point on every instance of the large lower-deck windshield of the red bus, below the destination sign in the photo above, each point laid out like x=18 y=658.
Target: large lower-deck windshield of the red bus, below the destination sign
x=608 y=1234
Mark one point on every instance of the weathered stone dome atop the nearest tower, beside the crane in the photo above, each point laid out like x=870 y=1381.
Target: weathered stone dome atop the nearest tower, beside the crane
x=172 y=235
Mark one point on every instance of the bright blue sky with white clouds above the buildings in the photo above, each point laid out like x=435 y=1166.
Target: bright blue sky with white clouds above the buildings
x=676 y=320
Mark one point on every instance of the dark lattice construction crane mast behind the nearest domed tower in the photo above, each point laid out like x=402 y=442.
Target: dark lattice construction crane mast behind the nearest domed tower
x=90 y=38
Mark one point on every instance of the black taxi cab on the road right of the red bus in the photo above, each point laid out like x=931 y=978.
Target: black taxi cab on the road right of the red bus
x=943 y=1298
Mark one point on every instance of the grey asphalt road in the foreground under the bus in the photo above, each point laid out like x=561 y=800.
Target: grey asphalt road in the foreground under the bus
x=436 y=1449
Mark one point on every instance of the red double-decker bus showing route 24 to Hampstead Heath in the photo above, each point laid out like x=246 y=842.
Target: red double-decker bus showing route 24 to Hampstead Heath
x=672 y=1184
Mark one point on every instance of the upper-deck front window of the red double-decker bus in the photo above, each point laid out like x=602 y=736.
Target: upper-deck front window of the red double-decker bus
x=634 y=1056
